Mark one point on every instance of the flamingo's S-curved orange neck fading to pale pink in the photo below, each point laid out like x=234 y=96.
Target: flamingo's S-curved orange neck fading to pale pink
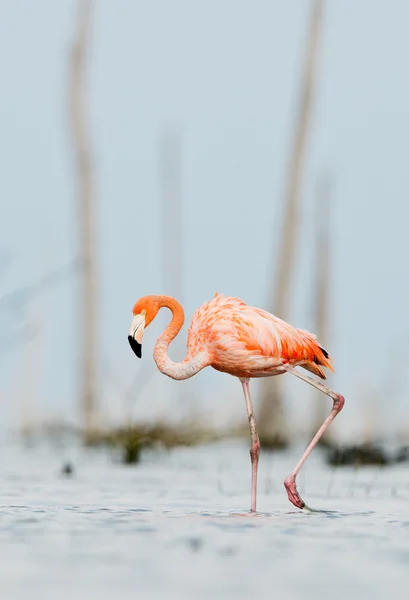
x=190 y=365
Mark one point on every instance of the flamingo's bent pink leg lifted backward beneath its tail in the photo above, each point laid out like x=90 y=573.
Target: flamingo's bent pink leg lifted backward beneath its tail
x=338 y=400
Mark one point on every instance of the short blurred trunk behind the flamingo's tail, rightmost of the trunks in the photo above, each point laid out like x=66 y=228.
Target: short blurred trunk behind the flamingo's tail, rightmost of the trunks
x=322 y=263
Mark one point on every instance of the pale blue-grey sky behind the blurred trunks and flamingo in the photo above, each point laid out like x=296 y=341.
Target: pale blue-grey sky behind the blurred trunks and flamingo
x=225 y=72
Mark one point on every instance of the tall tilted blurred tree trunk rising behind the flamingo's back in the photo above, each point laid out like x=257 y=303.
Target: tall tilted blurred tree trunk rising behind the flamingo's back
x=273 y=430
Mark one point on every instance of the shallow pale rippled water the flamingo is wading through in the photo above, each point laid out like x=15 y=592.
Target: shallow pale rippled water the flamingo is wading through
x=176 y=527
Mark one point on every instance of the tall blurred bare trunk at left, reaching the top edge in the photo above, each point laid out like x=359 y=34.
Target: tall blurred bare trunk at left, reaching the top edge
x=86 y=215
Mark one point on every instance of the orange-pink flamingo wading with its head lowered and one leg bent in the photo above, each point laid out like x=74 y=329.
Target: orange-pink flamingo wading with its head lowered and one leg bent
x=240 y=340
